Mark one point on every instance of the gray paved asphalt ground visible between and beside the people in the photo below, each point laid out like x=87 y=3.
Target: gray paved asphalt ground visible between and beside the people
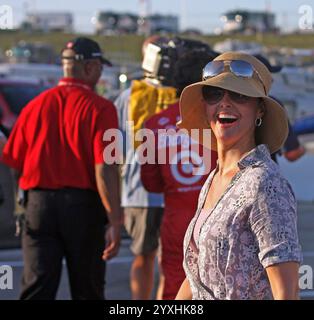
x=118 y=269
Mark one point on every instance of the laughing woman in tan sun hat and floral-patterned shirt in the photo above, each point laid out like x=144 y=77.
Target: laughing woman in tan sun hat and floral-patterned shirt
x=243 y=241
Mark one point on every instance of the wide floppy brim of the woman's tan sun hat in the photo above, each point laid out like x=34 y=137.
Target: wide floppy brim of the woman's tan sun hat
x=274 y=129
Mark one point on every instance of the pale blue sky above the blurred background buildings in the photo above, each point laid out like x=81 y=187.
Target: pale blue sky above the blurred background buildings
x=201 y=14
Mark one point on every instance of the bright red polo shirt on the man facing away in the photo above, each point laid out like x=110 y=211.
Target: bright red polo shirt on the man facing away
x=58 y=137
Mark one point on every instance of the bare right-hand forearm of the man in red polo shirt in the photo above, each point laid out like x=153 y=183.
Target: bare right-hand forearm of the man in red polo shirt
x=107 y=179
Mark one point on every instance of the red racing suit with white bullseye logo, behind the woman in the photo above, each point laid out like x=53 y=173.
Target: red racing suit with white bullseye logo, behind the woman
x=180 y=178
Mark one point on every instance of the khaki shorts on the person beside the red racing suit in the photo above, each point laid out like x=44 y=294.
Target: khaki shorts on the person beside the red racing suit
x=143 y=226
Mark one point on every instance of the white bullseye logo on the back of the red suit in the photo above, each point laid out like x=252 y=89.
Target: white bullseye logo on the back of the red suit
x=189 y=168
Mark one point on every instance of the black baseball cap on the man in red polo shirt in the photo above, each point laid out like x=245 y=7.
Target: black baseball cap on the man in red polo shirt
x=86 y=49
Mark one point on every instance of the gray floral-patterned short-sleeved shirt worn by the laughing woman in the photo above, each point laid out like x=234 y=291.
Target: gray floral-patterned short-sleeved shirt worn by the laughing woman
x=253 y=226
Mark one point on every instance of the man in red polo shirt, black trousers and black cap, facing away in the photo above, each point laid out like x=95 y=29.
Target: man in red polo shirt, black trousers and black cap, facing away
x=57 y=148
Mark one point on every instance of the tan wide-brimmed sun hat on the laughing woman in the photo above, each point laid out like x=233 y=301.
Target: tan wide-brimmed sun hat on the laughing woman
x=274 y=129
